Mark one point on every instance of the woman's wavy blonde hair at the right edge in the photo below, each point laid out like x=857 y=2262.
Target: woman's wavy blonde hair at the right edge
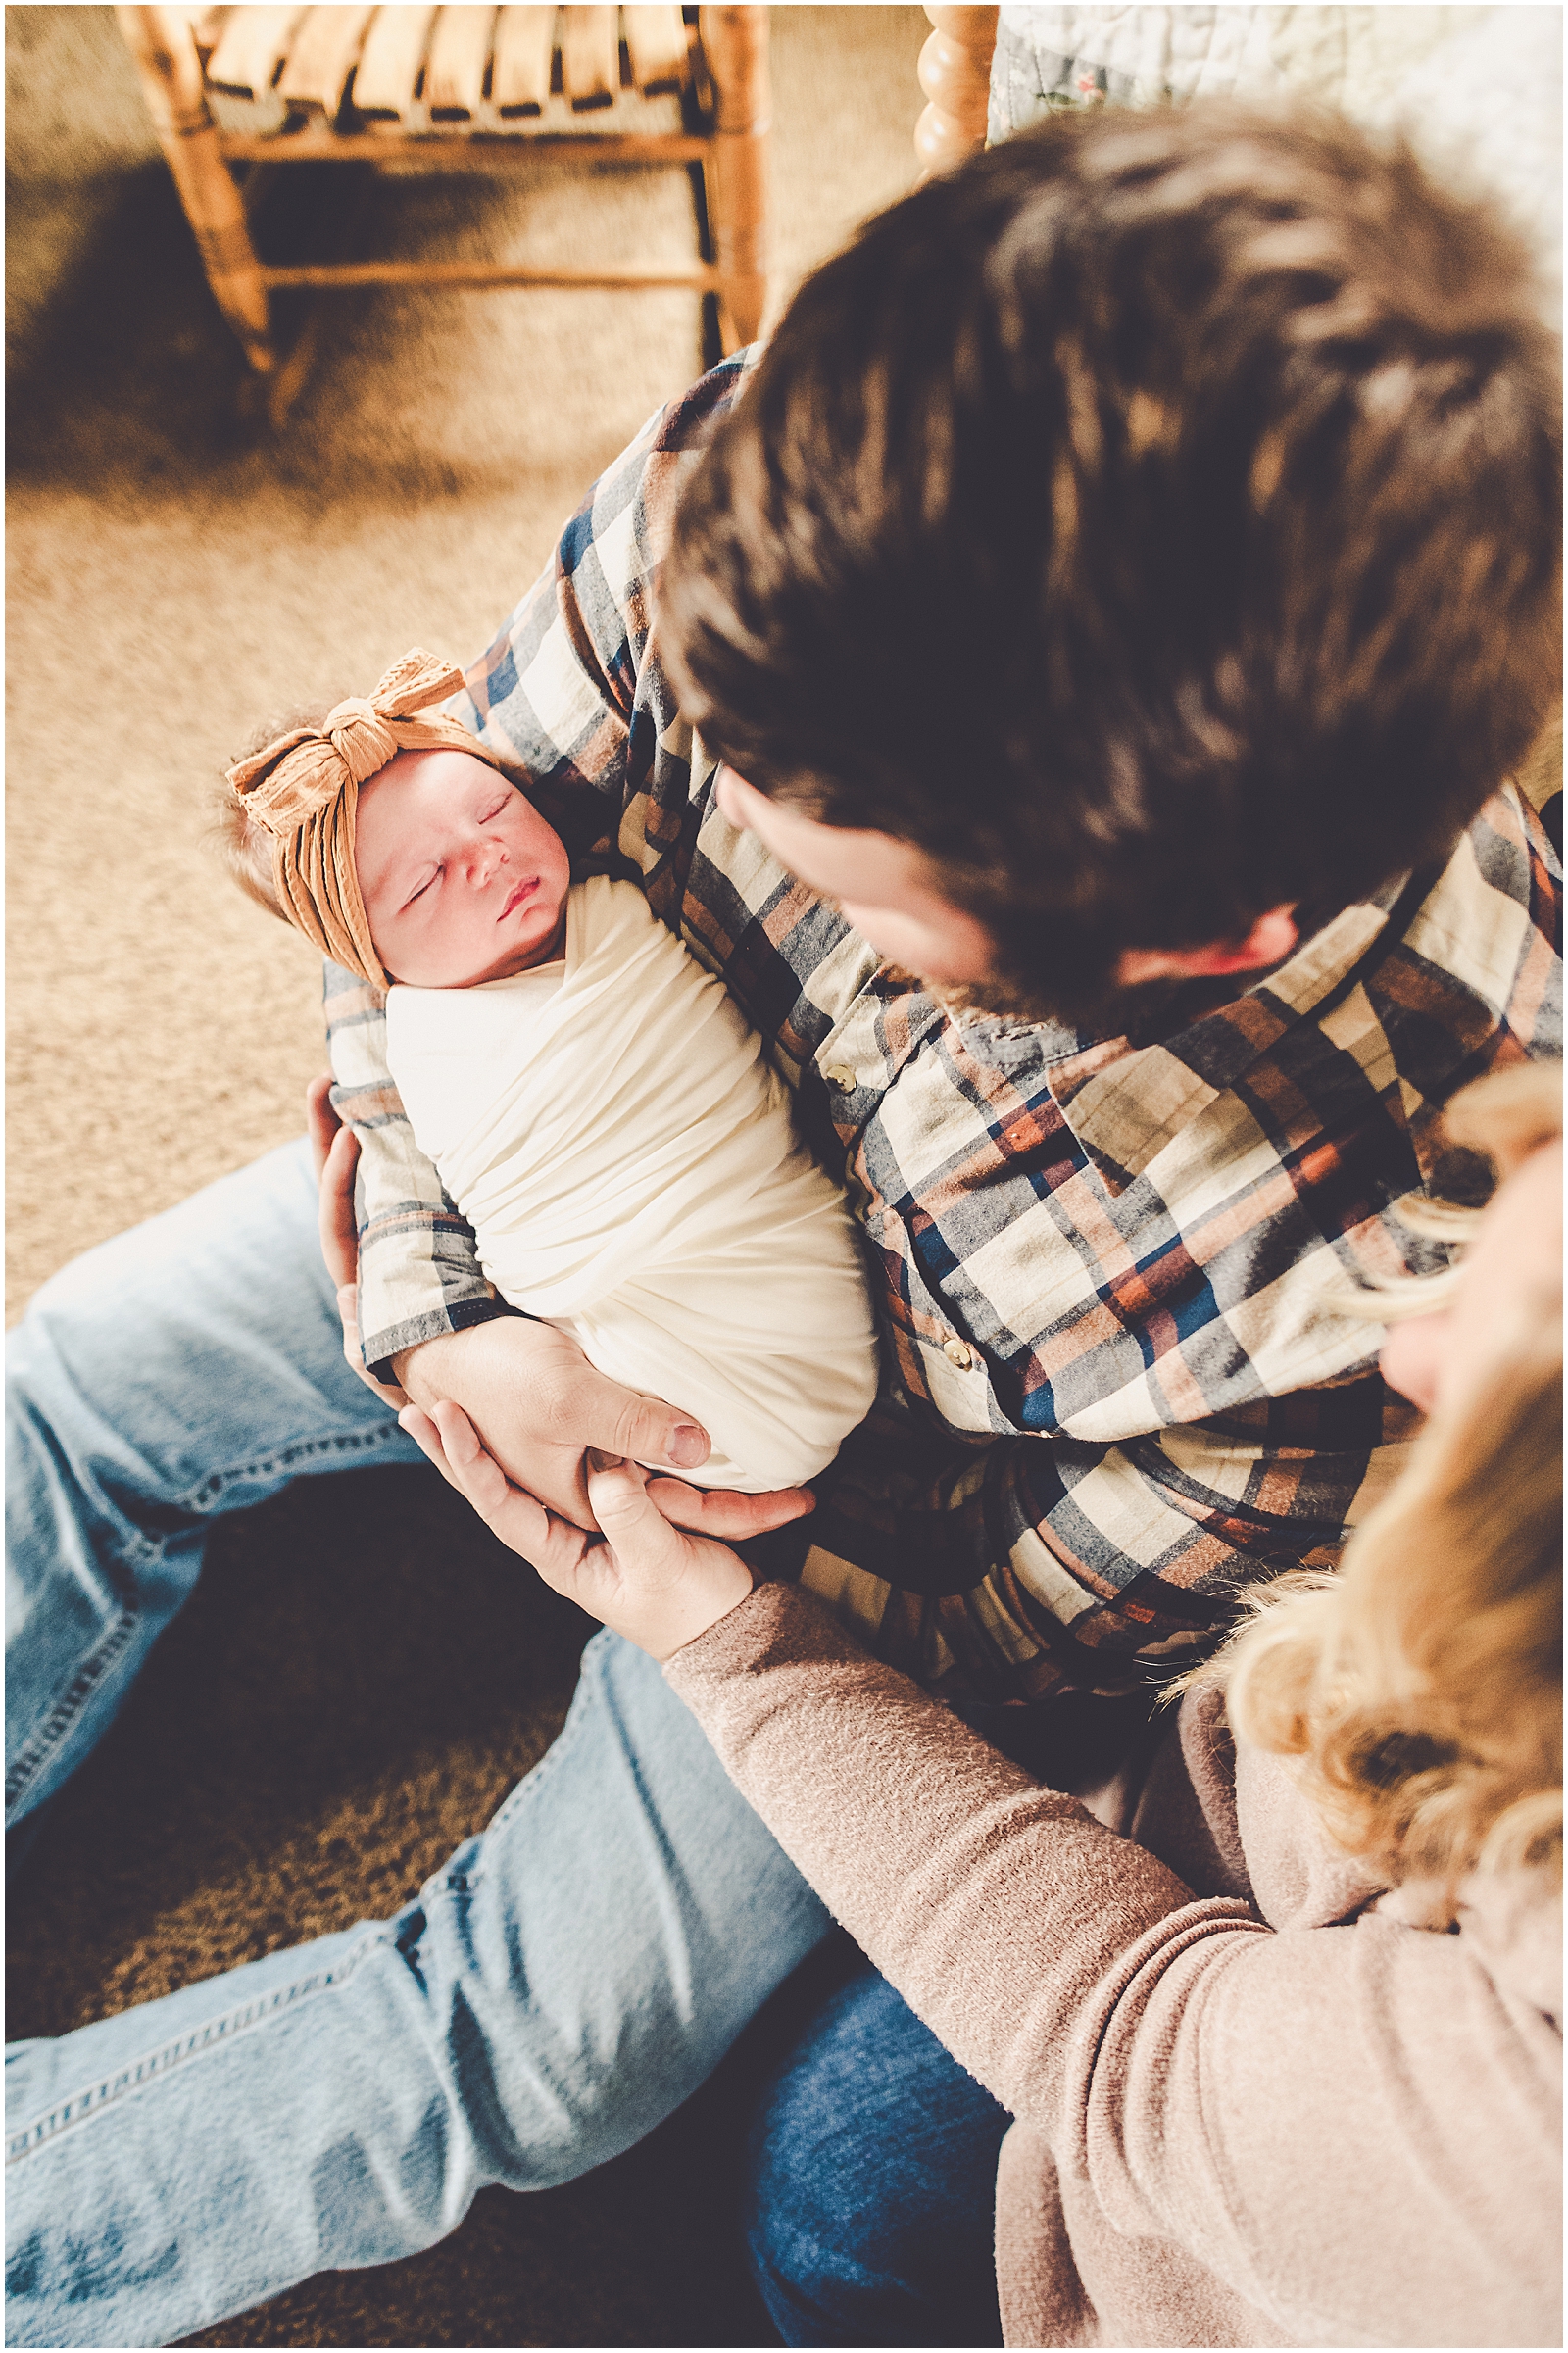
x=1421 y=1686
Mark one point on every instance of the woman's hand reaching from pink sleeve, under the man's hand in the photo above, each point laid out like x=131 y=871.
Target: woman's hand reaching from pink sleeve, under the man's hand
x=644 y=1578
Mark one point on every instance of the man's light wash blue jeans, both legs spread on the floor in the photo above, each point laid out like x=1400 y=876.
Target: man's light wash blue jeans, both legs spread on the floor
x=559 y=1989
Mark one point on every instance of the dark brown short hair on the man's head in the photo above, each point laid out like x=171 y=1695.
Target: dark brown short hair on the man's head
x=1155 y=521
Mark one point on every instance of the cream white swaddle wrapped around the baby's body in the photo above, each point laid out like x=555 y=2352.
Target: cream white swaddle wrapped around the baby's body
x=630 y=1166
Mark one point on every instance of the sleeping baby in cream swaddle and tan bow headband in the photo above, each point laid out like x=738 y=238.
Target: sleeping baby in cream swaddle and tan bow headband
x=590 y=1095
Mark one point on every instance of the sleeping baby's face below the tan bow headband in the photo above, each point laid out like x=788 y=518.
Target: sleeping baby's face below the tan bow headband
x=463 y=879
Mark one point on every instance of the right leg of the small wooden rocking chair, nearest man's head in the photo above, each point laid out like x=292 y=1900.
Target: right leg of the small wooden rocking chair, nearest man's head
x=736 y=173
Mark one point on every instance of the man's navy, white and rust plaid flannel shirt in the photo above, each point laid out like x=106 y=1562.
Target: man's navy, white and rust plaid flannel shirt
x=1117 y=1385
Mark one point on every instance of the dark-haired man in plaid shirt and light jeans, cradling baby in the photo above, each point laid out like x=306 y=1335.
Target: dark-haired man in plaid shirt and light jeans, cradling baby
x=1065 y=693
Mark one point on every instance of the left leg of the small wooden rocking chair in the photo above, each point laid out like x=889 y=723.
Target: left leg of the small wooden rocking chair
x=173 y=86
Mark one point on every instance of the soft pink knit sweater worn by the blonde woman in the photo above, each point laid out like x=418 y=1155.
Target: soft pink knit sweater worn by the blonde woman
x=1256 y=2107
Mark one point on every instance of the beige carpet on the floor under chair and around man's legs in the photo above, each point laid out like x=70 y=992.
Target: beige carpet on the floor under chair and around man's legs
x=364 y=1674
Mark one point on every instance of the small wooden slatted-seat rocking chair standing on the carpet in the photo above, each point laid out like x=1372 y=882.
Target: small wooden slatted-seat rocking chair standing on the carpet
x=453 y=91
